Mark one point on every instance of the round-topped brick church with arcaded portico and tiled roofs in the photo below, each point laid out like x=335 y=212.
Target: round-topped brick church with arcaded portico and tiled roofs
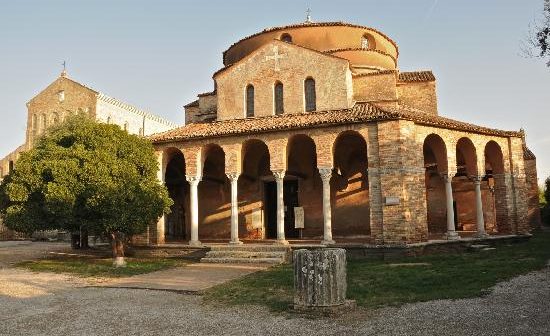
x=313 y=133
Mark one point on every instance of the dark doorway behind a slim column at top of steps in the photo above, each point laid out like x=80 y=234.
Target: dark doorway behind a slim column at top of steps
x=290 y=197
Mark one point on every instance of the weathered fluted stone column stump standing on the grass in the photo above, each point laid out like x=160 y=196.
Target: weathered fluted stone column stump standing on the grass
x=320 y=280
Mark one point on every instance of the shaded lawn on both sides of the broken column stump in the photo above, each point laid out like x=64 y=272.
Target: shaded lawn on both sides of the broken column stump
x=374 y=283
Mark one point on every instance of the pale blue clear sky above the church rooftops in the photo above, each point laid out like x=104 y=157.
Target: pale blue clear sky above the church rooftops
x=159 y=54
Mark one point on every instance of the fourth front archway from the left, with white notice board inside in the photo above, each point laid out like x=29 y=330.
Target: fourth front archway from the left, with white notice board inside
x=302 y=188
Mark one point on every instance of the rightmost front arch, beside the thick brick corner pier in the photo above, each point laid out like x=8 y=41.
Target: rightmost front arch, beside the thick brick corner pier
x=349 y=186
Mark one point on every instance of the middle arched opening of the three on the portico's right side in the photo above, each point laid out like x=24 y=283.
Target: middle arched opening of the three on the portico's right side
x=463 y=186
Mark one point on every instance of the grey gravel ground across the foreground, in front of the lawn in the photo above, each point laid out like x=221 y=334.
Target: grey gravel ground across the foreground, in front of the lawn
x=59 y=305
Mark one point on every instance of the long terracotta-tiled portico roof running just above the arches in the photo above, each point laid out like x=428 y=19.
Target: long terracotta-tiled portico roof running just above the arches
x=360 y=113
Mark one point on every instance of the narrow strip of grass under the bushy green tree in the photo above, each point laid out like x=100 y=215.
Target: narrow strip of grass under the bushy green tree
x=100 y=267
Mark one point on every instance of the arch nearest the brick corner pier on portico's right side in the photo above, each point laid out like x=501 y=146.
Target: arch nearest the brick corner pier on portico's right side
x=435 y=163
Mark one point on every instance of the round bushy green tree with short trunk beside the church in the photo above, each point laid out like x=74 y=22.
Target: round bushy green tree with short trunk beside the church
x=86 y=174
